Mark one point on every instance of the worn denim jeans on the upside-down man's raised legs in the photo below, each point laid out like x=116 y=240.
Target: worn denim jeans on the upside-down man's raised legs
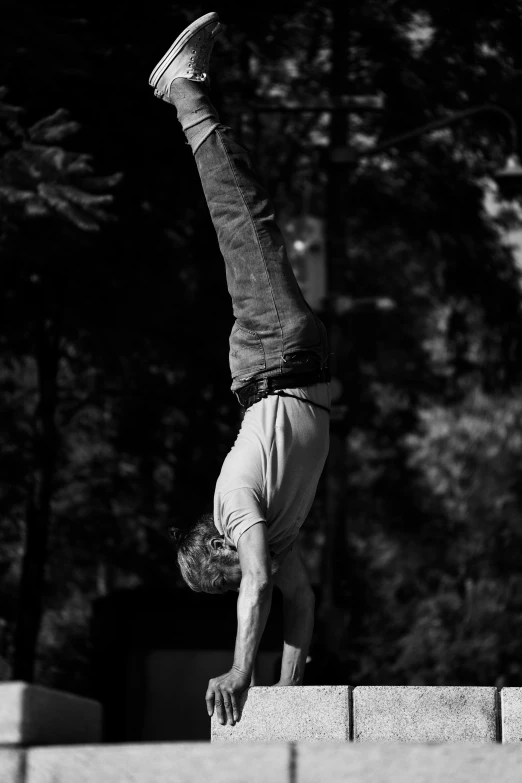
x=275 y=332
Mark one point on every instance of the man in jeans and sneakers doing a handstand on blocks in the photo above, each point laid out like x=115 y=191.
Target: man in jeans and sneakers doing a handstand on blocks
x=278 y=355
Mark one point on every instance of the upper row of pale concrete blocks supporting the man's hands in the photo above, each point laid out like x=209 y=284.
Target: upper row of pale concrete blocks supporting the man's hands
x=377 y=714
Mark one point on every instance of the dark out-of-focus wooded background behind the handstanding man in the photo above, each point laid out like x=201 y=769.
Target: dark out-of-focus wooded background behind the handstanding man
x=115 y=409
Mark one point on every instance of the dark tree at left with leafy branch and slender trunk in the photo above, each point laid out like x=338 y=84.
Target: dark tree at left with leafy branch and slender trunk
x=42 y=183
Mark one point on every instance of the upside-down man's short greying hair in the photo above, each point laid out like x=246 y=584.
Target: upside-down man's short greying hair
x=203 y=568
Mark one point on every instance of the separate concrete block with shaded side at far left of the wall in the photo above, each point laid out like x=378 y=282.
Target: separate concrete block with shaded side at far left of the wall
x=32 y=715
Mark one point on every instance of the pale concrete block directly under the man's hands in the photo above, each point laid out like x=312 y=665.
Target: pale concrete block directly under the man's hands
x=290 y=714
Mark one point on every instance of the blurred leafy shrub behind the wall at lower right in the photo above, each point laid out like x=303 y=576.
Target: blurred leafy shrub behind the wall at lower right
x=468 y=460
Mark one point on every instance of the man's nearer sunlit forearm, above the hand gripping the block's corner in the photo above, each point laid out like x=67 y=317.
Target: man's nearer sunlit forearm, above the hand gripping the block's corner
x=253 y=607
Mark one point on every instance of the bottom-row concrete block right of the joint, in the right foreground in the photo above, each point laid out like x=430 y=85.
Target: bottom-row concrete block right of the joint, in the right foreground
x=372 y=763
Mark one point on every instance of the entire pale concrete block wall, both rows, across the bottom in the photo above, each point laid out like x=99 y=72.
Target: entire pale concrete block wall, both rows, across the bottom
x=286 y=735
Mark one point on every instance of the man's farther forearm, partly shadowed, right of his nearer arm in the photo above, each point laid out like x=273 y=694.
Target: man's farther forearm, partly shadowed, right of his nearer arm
x=298 y=628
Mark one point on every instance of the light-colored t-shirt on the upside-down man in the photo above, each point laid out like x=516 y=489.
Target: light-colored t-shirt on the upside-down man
x=271 y=473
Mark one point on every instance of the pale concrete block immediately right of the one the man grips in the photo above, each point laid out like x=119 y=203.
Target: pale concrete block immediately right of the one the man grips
x=424 y=714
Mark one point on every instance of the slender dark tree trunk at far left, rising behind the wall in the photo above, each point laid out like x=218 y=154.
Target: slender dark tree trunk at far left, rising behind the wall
x=32 y=581
